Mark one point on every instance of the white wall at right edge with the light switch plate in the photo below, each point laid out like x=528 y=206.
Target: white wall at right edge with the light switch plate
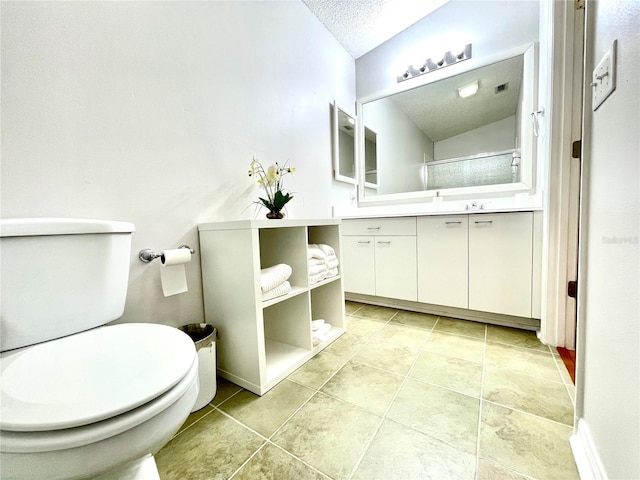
x=609 y=303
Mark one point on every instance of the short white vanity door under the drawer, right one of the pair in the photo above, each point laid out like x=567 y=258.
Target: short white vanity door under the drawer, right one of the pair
x=396 y=269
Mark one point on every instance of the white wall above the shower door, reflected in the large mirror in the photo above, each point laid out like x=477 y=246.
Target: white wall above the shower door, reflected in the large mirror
x=494 y=137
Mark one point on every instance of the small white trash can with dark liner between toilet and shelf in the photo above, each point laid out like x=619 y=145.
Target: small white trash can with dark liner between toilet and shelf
x=204 y=336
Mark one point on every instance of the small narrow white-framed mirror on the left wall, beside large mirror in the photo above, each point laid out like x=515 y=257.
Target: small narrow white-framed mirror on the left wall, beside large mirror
x=344 y=145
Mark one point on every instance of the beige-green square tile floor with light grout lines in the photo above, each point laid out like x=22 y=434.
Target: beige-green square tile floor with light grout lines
x=401 y=395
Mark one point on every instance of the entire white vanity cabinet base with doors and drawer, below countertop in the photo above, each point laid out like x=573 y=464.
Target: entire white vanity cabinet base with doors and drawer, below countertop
x=479 y=265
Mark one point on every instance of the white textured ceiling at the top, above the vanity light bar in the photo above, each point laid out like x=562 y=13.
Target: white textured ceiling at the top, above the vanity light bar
x=362 y=25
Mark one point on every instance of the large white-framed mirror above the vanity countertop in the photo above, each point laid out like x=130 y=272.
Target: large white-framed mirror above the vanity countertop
x=430 y=141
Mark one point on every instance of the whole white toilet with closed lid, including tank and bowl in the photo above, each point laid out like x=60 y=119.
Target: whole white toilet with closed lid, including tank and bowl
x=79 y=398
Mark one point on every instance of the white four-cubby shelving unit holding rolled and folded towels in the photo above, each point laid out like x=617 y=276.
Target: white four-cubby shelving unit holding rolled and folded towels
x=261 y=342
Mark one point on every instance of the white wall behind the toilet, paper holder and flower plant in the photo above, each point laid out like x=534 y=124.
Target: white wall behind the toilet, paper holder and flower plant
x=150 y=112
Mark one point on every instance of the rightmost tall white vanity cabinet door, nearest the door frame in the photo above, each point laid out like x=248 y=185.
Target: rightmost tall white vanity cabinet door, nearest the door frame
x=500 y=263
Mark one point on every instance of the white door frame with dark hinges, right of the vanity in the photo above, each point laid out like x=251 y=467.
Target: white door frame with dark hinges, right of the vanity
x=564 y=24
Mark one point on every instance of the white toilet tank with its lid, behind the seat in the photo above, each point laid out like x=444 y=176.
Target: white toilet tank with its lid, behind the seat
x=60 y=276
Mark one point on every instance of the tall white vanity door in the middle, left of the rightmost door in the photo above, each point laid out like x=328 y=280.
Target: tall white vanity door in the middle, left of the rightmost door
x=443 y=260
